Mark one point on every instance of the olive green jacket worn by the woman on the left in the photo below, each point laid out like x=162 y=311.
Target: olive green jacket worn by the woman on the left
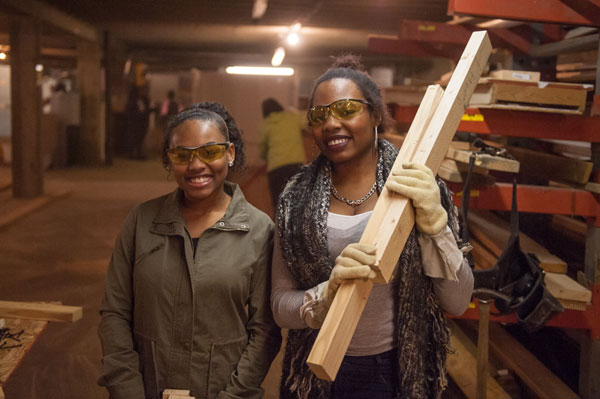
x=174 y=320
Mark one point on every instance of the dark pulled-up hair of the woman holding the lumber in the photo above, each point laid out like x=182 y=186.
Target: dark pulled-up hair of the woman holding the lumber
x=349 y=66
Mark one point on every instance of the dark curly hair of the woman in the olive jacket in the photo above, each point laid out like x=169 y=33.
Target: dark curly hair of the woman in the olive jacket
x=208 y=111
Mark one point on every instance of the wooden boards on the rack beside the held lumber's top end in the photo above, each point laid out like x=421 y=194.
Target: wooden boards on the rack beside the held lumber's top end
x=523 y=91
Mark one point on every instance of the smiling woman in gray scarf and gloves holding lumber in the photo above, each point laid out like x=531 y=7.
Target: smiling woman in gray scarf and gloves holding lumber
x=399 y=347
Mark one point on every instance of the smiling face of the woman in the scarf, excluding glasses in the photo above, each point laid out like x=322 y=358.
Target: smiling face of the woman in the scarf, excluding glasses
x=342 y=140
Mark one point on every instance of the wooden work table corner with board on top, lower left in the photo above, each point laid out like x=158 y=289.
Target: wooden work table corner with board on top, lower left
x=23 y=323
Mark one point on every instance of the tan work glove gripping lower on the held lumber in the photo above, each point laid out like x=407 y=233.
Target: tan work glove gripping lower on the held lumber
x=355 y=261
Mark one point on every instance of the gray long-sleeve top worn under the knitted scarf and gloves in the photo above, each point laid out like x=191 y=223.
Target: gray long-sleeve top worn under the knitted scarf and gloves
x=442 y=261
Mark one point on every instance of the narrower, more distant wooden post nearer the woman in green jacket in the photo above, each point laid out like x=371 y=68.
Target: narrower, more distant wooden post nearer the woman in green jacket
x=90 y=149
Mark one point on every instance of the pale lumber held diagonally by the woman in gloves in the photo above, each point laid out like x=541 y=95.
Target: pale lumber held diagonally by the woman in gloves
x=388 y=231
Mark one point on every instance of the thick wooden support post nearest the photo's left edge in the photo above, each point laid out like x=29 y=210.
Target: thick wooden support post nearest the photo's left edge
x=27 y=171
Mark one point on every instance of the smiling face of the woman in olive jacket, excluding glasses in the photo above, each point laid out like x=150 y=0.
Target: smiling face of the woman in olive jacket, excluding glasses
x=197 y=179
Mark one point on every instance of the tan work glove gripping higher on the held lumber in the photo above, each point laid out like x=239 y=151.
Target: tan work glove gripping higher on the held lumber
x=417 y=183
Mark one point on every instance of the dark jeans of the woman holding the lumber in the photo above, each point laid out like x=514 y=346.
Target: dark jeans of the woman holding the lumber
x=367 y=377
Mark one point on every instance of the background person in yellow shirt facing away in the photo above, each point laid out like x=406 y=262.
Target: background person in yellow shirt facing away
x=281 y=145
